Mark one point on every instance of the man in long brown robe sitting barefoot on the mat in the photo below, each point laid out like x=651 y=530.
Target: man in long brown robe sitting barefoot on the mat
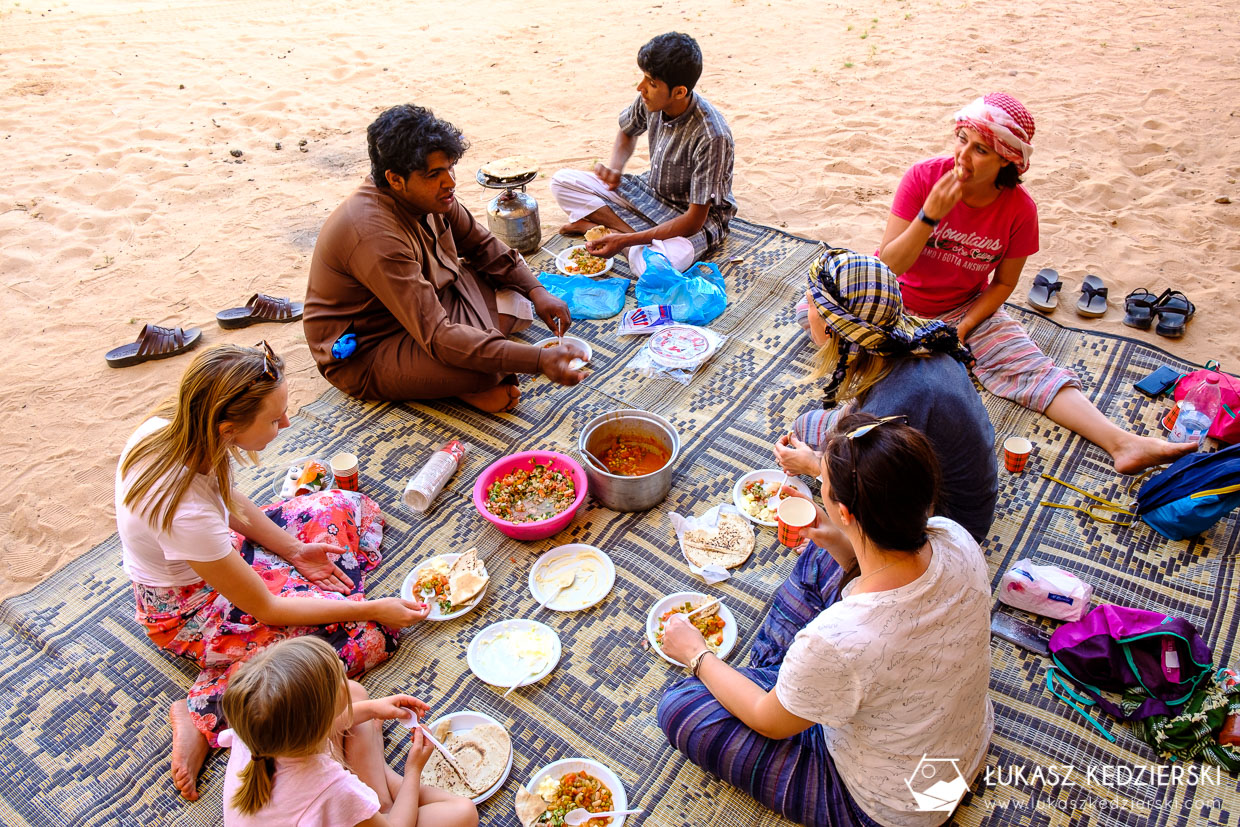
x=428 y=294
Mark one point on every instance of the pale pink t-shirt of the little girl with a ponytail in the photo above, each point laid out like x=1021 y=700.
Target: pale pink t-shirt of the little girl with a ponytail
x=314 y=792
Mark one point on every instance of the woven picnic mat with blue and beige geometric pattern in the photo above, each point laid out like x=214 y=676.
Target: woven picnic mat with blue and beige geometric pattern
x=85 y=695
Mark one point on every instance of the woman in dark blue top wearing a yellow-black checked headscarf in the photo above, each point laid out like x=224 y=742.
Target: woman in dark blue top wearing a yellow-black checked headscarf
x=880 y=360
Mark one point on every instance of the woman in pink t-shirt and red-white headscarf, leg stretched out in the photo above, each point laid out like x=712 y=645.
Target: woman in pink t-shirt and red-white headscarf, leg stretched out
x=959 y=235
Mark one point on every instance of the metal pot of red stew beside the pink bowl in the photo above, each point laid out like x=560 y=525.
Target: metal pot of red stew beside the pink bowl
x=629 y=493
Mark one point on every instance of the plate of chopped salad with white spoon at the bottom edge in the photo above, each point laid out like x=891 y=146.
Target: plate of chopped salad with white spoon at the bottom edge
x=566 y=785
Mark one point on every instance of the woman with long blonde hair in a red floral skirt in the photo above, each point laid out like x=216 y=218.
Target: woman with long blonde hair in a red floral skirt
x=215 y=577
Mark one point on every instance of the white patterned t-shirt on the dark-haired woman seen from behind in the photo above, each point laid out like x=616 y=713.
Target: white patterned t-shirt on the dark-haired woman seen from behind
x=900 y=676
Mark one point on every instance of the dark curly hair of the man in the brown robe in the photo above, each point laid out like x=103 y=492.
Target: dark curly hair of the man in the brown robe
x=404 y=137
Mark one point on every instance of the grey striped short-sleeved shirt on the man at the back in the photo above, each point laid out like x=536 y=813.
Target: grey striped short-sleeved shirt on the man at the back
x=691 y=161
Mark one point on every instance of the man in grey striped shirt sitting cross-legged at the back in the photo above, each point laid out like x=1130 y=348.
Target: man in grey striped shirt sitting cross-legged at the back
x=684 y=203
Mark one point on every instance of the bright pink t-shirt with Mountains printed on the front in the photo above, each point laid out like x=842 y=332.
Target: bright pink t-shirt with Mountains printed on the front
x=967 y=246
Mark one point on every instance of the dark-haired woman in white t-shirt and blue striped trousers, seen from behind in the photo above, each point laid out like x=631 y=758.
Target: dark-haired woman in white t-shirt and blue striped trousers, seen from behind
x=864 y=704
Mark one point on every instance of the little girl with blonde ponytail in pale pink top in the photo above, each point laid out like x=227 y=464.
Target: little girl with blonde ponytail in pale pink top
x=308 y=748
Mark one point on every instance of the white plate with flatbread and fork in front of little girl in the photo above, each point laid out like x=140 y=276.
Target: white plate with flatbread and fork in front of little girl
x=482 y=747
